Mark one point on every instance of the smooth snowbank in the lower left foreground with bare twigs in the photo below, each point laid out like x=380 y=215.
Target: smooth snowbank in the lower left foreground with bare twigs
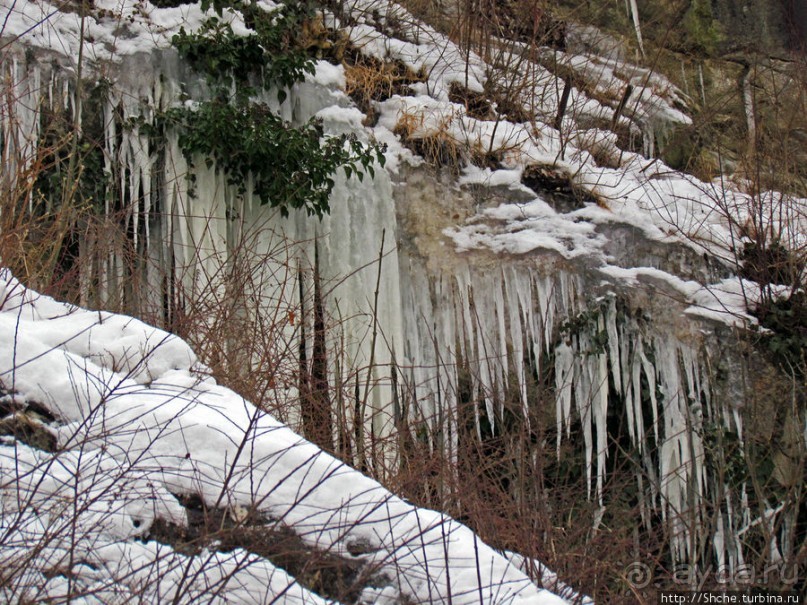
x=135 y=423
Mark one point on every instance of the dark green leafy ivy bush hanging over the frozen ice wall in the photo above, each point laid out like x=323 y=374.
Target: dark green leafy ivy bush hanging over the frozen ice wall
x=289 y=166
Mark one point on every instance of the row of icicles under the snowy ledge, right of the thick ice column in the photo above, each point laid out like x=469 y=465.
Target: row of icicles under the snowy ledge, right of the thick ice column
x=506 y=321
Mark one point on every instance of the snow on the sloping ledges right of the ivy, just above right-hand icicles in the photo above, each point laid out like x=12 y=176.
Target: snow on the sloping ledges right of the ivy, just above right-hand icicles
x=663 y=204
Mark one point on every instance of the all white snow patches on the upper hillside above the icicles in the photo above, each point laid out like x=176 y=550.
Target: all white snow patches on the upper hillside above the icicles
x=641 y=192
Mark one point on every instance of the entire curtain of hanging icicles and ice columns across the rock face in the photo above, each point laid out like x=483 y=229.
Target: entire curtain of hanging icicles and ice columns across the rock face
x=492 y=319
